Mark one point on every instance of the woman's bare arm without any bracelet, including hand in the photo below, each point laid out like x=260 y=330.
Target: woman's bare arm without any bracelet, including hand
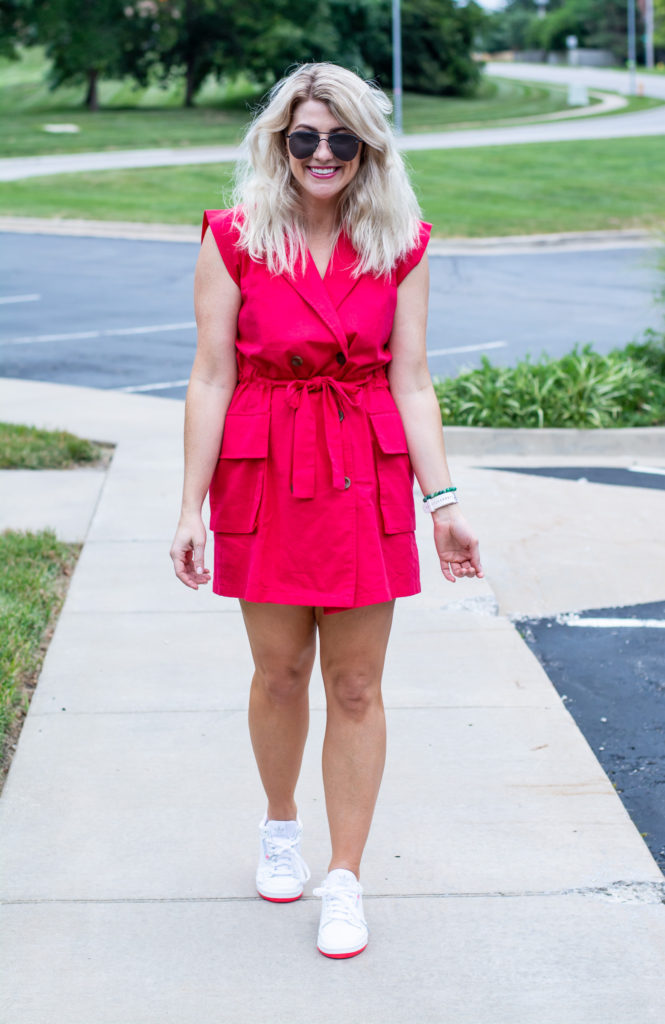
x=214 y=379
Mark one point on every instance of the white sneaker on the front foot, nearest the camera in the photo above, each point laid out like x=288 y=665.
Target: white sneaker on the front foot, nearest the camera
x=343 y=931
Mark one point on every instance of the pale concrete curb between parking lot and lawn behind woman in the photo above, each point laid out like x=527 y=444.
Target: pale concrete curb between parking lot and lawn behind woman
x=497 y=245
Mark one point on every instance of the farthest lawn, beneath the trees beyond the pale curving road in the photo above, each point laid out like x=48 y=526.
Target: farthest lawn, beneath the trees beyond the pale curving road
x=132 y=117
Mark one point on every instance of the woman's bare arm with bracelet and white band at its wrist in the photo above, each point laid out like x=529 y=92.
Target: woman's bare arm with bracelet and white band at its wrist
x=414 y=396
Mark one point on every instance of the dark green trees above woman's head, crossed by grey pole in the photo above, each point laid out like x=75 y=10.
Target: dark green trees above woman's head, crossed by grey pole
x=159 y=39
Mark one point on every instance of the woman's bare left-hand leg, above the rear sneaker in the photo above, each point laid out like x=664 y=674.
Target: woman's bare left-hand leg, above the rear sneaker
x=283 y=639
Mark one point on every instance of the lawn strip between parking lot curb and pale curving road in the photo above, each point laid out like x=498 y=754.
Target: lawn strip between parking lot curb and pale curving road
x=514 y=190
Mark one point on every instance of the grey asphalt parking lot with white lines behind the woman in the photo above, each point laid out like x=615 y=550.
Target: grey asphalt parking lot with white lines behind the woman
x=117 y=314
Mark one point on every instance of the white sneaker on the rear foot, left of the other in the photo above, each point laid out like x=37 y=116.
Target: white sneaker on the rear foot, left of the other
x=282 y=873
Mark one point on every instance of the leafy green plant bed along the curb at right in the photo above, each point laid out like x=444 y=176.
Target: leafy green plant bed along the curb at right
x=583 y=390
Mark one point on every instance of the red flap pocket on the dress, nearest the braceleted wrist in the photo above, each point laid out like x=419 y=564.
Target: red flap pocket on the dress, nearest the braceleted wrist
x=394 y=473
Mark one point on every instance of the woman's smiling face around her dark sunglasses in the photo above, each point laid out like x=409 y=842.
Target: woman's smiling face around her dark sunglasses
x=322 y=177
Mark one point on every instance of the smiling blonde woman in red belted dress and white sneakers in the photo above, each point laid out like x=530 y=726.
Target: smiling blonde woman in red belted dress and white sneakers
x=309 y=405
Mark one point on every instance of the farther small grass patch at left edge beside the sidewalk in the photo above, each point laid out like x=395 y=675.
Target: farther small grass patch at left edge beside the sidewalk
x=28 y=448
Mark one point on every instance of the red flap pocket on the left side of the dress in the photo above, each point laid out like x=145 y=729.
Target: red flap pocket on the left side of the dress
x=237 y=485
